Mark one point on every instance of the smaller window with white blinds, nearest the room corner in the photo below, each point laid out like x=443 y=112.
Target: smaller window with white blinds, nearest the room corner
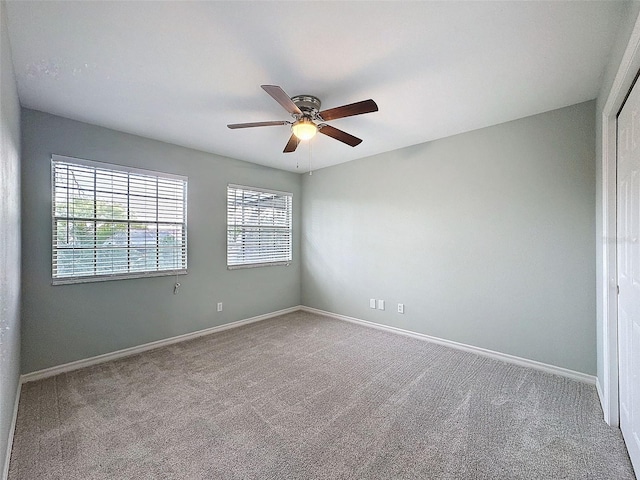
x=258 y=227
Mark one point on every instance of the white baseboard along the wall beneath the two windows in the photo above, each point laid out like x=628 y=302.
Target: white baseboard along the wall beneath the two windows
x=127 y=352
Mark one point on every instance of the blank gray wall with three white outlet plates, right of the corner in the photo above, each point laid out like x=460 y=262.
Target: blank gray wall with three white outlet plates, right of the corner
x=486 y=237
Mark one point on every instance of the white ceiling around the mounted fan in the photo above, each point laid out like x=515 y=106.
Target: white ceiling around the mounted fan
x=181 y=71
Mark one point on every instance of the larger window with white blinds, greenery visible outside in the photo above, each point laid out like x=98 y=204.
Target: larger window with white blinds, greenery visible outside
x=112 y=222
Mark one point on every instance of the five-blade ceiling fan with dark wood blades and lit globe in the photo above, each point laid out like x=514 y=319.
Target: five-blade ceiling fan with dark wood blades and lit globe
x=309 y=119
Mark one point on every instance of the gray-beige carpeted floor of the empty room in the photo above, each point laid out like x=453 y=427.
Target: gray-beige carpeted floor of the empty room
x=306 y=397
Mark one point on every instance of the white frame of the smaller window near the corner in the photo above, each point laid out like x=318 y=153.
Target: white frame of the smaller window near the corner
x=288 y=229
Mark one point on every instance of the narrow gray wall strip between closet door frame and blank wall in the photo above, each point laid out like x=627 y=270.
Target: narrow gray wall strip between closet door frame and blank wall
x=615 y=56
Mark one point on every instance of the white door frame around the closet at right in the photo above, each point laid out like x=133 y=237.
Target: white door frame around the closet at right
x=608 y=385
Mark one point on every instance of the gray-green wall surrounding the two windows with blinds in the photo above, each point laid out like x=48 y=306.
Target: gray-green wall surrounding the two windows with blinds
x=70 y=322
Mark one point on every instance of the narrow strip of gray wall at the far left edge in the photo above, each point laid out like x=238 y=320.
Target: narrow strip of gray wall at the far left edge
x=9 y=238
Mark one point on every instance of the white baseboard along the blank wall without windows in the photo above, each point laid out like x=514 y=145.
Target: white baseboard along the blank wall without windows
x=523 y=362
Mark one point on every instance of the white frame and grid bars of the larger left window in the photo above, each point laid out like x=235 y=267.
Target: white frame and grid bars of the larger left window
x=122 y=169
